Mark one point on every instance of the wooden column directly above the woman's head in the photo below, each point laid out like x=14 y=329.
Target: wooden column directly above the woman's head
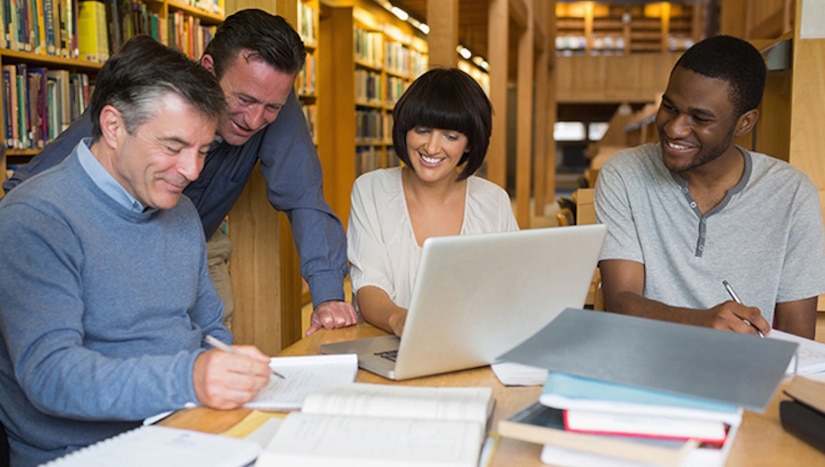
x=442 y=18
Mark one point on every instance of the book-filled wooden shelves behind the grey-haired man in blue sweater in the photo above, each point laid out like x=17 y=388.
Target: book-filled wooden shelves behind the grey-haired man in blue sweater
x=50 y=62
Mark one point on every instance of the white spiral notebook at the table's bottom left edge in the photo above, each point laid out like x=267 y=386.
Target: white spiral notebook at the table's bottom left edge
x=161 y=446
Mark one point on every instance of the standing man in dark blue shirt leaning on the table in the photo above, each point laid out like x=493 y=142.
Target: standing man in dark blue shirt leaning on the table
x=255 y=57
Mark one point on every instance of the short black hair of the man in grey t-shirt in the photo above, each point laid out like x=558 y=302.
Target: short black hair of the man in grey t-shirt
x=732 y=60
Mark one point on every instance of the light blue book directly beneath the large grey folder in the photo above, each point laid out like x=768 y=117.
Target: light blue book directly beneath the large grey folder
x=568 y=392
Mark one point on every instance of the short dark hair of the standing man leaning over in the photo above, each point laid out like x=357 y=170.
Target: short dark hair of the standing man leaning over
x=269 y=37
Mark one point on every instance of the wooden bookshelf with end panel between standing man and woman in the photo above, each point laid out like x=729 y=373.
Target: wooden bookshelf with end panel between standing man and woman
x=373 y=58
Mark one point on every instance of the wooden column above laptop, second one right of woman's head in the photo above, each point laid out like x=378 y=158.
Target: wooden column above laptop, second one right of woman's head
x=524 y=112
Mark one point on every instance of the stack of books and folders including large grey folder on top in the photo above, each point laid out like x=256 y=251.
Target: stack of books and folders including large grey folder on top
x=623 y=390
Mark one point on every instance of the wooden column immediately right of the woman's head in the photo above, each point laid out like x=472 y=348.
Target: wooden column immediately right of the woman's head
x=497 y=49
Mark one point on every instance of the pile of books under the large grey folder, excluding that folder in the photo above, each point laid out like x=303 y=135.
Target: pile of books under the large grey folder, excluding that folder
x=582 y=421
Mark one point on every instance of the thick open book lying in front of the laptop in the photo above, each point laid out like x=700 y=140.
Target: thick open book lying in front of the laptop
x=367 y=425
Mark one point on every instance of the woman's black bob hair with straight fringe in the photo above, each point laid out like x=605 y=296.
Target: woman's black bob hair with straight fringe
x=449 y=99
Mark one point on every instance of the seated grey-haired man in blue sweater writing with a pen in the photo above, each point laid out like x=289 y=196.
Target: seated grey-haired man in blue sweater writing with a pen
x=105 y=296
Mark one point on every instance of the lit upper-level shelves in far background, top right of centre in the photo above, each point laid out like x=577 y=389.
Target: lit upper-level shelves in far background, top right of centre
x=590 y=28
